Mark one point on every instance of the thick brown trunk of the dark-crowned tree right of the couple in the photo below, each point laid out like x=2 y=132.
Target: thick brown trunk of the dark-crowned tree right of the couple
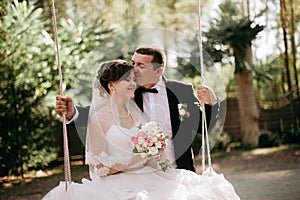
x=248 y=109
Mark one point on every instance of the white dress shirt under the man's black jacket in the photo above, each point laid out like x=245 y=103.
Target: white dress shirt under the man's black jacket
x=156 y=108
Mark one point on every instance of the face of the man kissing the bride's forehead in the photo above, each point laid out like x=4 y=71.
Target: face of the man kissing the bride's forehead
x=145 y=73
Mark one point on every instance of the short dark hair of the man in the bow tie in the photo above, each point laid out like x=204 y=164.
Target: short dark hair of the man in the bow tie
x=159 y=56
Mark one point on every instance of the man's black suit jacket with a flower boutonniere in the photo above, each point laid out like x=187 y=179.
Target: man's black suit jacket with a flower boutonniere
x=183 y=131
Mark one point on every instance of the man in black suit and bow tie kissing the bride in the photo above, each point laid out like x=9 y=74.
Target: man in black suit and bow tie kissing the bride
x=171 y=103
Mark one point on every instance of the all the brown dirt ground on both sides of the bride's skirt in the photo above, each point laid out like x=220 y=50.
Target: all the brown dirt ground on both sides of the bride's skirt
x=260 y=174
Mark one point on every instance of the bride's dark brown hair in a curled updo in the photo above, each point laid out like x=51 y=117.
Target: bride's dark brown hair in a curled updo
x=112 y=71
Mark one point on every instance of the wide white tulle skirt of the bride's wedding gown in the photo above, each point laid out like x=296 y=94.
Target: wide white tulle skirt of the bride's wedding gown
x=146 y=184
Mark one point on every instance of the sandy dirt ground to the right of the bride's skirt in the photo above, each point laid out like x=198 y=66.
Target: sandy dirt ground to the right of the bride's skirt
x=262 y=174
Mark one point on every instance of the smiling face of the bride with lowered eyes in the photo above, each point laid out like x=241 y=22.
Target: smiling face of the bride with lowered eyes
x=126 y=87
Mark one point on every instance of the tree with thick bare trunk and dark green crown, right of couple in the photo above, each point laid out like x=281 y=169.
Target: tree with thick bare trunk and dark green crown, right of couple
x=238 y=32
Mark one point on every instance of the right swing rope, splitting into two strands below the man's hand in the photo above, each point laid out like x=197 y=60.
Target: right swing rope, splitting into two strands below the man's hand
x=205 y=139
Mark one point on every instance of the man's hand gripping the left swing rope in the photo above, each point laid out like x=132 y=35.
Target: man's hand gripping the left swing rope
x=65 y=105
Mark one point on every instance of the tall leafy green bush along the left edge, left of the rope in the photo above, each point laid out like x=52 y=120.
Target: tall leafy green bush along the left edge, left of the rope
x=24 y=71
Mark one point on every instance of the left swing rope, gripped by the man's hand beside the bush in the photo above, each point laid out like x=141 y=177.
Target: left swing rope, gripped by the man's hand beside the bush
x=65 y=135
